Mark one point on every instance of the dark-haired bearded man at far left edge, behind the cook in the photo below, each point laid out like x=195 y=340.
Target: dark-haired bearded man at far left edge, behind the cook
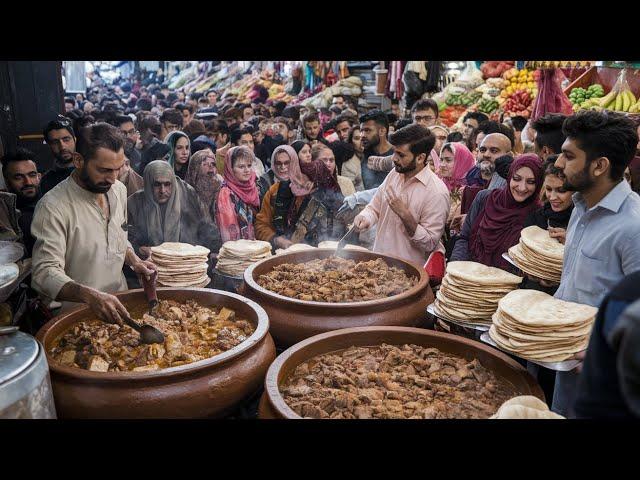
x=22 y=179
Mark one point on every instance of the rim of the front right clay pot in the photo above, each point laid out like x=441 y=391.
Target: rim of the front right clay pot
x=277 y=401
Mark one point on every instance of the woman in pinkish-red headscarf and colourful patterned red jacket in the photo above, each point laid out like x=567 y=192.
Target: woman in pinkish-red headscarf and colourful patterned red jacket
x=238 y=200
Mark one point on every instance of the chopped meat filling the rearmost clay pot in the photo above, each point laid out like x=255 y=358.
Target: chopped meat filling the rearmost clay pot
x=337 y=280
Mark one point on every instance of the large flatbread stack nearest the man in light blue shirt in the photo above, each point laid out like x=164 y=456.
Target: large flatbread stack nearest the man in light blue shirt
x=536 y=326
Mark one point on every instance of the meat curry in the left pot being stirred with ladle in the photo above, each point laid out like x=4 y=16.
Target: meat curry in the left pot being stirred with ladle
x=192 y=333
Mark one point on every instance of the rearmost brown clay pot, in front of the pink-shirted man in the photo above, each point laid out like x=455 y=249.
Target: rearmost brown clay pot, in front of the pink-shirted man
x=293 y=320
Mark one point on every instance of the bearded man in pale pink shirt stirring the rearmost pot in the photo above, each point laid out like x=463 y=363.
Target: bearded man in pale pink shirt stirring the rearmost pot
x=412 y=204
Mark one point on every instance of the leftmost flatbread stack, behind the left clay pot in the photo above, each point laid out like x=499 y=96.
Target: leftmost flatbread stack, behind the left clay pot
x=181 y=264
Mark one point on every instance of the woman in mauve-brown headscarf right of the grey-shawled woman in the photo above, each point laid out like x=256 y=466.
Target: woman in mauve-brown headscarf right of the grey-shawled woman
x=203 y=176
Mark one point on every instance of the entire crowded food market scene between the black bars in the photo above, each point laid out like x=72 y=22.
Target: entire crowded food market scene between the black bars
x=320 y=240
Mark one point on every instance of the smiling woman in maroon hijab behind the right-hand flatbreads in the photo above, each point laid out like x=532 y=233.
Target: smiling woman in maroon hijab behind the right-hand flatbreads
x=497 y=216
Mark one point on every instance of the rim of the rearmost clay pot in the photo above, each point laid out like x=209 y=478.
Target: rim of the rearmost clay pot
x=423 y=282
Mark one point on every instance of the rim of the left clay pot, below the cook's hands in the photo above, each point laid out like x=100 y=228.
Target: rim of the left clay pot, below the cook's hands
x=262 y=329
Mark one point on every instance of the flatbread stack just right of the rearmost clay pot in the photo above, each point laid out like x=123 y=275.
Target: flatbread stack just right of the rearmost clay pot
x=470 y=291
